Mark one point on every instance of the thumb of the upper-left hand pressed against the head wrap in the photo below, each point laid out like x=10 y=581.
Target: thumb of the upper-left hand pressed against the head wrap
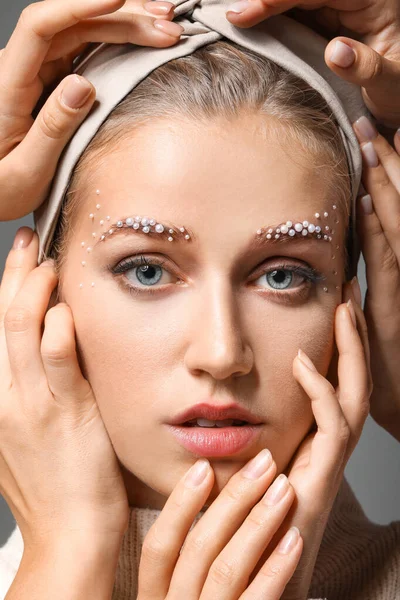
x=36 y=157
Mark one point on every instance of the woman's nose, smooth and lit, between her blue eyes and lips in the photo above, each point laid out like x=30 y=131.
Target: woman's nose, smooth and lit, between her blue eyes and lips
x=217 y=342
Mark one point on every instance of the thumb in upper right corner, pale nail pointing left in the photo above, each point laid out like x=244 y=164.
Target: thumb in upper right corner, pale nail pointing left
x=379 y=77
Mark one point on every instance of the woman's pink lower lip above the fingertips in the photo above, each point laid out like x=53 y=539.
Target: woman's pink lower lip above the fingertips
x=215 y=441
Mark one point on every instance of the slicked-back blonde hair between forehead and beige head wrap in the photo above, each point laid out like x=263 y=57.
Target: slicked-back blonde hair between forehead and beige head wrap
x=220 y=80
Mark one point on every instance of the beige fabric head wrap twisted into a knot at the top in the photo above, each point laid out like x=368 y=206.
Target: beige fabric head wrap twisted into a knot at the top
x=116 y=69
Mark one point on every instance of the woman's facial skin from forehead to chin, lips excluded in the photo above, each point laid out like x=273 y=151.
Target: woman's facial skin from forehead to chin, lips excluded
x=230 y=329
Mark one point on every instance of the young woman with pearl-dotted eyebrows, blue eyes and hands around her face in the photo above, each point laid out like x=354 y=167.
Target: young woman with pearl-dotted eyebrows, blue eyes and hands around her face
x=216 y=318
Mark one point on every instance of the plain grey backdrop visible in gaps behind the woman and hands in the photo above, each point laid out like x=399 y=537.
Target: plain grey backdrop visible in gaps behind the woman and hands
x=374 y=468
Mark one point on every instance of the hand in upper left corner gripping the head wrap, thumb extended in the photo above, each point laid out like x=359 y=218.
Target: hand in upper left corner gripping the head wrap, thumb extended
x=39 y=54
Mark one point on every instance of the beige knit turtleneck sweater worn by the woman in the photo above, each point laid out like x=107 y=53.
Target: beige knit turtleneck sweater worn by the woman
x=357 y=560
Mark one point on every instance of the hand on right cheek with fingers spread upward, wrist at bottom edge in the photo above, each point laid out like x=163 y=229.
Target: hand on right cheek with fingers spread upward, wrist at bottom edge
x=317 y=468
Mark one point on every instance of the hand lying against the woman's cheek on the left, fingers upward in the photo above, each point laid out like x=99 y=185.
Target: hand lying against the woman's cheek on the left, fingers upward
x=58 y=471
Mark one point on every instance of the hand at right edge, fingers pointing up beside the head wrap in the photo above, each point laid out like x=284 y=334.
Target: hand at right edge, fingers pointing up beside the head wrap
x=378 y=229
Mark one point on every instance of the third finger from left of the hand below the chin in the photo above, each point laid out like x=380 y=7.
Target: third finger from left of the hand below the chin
x=228 y=575
